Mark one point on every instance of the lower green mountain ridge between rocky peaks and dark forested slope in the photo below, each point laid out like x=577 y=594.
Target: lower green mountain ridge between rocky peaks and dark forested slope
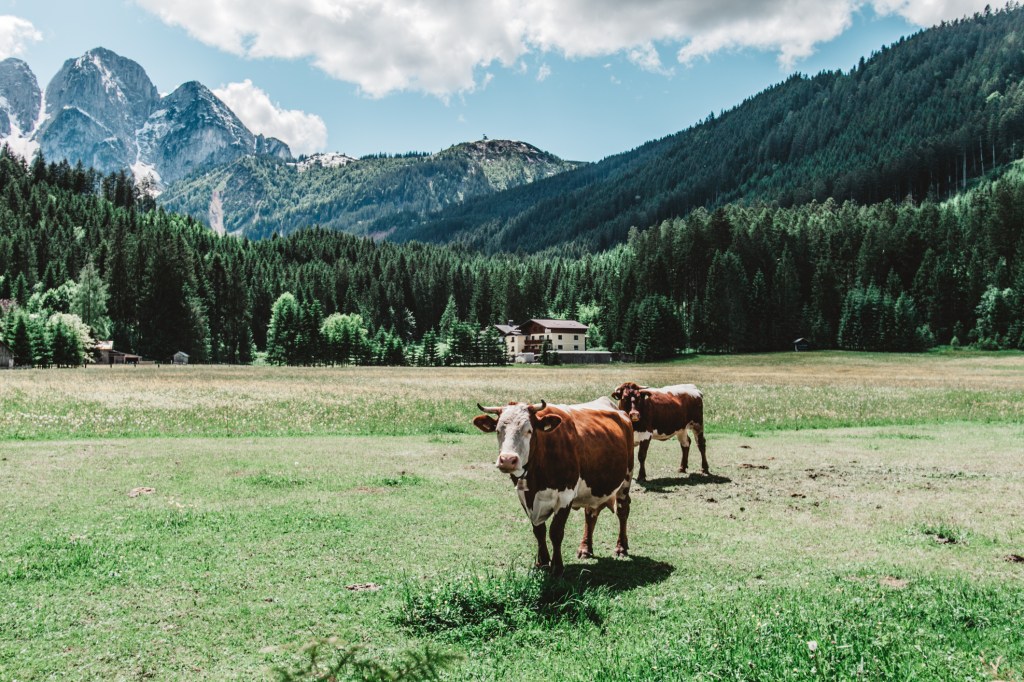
x=261 y=196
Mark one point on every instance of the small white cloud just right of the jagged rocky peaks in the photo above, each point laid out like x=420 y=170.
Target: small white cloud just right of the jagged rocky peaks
x=306 y=134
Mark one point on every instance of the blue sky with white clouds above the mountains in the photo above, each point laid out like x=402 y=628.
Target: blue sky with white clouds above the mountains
x=582 y=79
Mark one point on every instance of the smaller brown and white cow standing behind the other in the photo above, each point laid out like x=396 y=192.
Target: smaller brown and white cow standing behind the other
x=663 y=414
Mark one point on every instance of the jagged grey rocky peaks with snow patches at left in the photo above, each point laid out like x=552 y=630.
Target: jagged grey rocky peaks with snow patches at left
x=103 y=110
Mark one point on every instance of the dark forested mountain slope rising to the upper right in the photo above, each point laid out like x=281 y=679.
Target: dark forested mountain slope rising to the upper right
x=919 y=119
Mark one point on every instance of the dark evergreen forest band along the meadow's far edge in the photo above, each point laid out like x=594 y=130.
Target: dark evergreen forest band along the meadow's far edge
x=82 y=258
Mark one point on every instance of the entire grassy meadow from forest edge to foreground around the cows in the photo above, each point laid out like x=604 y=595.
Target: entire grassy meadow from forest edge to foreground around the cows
x=862 y=523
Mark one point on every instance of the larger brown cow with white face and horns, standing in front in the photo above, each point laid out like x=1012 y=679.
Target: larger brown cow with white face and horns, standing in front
x=563 y=458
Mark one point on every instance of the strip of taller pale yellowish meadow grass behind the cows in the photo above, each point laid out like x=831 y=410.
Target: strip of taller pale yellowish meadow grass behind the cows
x=745 y=394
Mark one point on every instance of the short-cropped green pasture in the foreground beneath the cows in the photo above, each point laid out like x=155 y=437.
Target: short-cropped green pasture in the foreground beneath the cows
x=245 y=549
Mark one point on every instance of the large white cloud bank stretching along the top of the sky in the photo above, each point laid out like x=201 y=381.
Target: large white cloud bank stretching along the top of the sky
x=444 y=48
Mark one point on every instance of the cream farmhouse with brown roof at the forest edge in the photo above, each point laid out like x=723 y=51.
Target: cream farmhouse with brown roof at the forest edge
x=568 y=338
